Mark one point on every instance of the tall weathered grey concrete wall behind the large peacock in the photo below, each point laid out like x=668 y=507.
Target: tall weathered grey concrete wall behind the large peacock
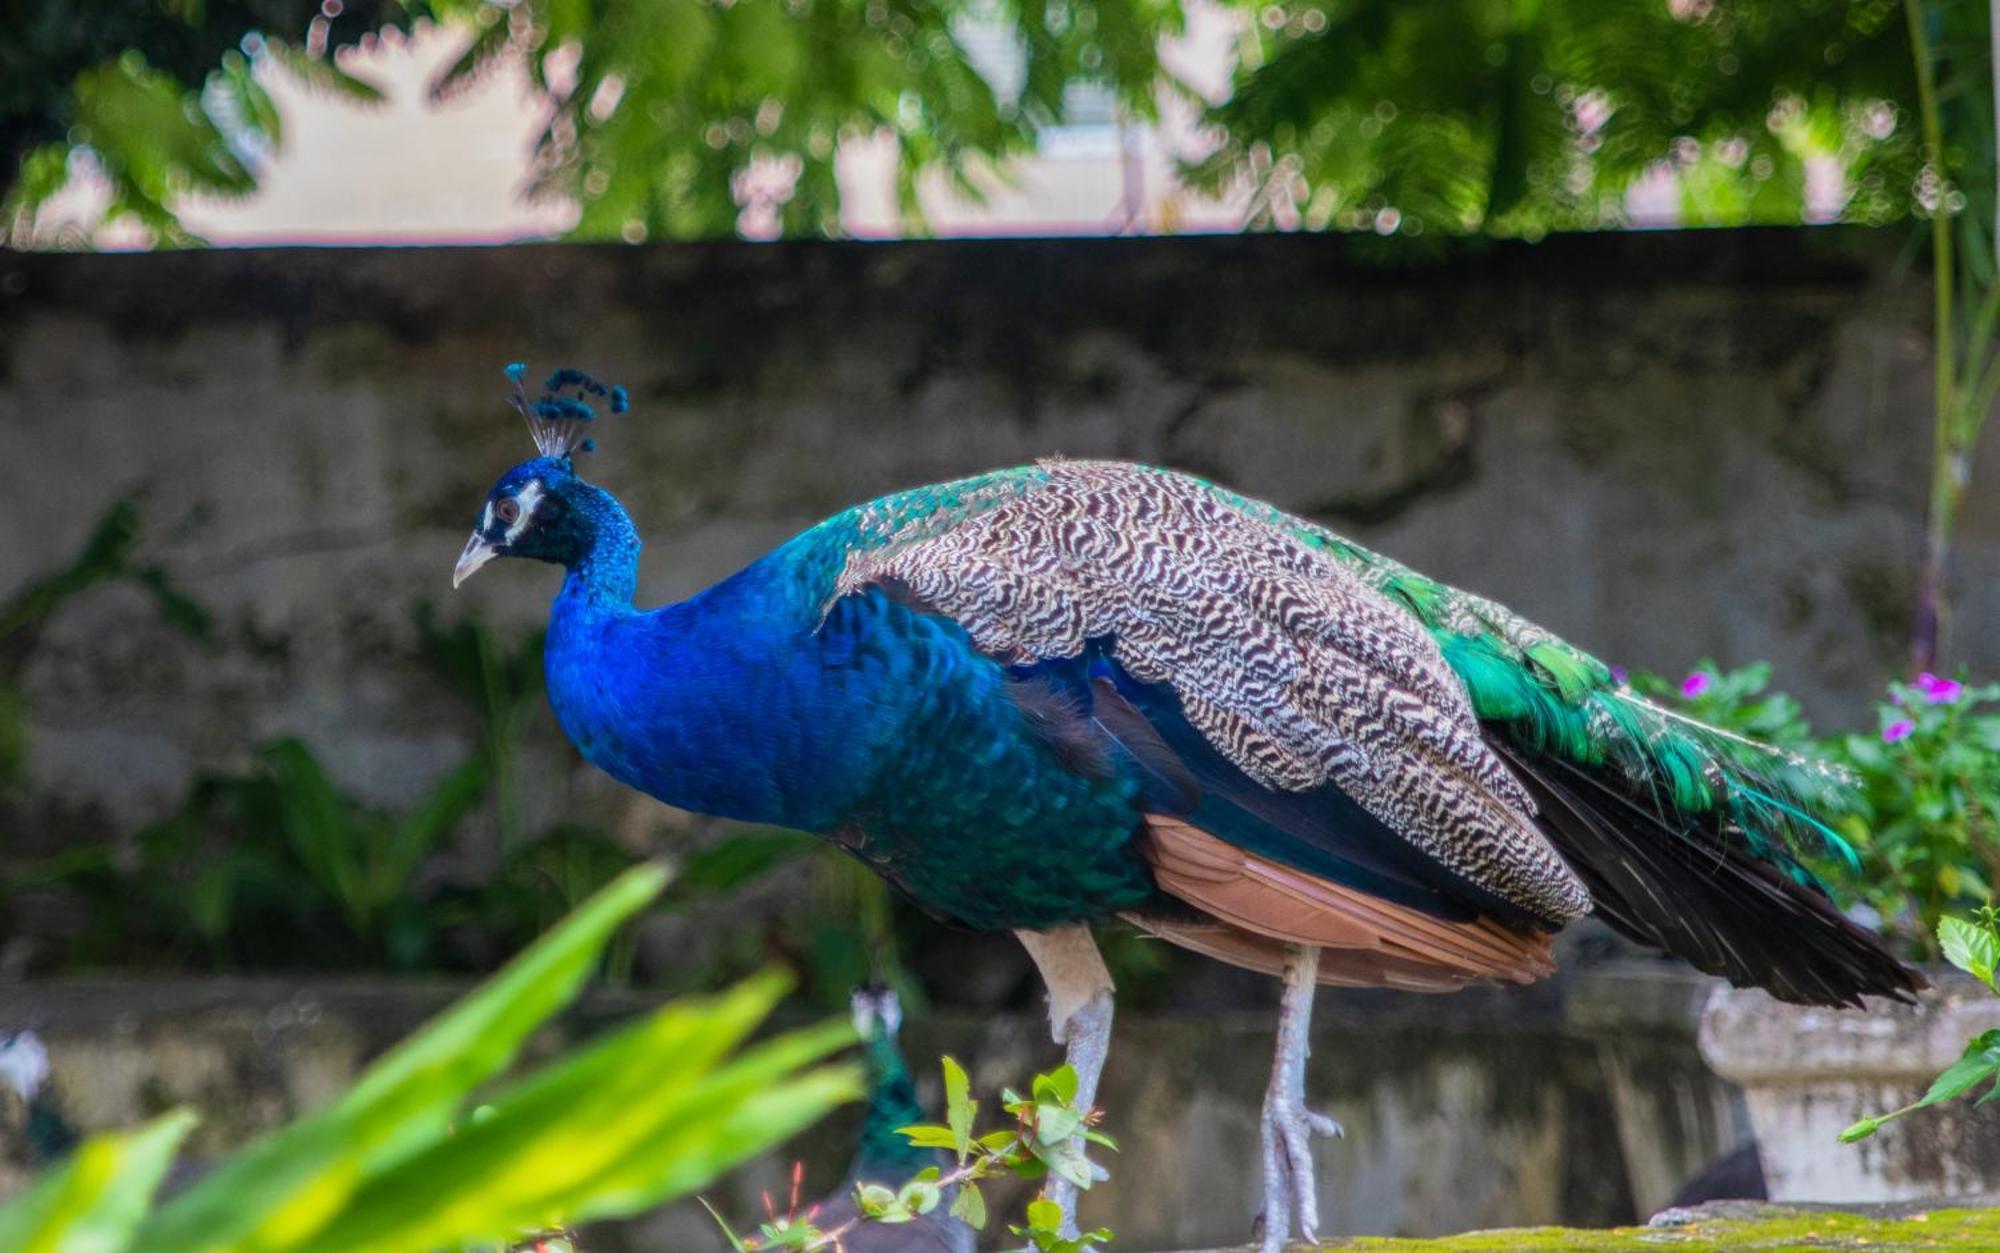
x=1659 y=445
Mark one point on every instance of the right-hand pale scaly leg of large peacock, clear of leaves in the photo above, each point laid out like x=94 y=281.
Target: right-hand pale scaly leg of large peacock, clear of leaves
x=1289 y=1128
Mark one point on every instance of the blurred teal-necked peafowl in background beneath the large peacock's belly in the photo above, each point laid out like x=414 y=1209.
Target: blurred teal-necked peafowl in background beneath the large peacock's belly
x=885 y=1156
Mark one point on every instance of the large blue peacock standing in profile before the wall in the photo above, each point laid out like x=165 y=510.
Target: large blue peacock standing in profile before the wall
x=1085 y=690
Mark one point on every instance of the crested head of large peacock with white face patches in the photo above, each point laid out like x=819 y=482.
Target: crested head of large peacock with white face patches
x=543 y=509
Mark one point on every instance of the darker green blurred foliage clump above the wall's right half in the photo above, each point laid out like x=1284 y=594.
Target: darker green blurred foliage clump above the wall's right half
x=1517 y=119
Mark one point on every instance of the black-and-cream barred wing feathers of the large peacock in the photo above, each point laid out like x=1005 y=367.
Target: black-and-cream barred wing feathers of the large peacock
x=1287 y=664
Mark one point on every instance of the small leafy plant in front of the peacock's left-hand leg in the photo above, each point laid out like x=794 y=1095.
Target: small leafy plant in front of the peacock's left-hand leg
x=1049 y=1136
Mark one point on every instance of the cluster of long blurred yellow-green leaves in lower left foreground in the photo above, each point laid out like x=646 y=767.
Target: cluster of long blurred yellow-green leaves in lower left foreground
x=411 y=1160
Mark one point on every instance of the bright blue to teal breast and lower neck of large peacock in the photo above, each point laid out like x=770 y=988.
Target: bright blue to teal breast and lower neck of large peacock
x=875 y=724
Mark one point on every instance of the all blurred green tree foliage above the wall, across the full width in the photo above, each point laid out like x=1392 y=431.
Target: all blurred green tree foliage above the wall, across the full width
x=1495 y=117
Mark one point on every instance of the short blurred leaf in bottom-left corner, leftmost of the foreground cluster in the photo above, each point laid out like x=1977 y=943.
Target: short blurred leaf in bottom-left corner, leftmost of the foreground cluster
x=97 y=1200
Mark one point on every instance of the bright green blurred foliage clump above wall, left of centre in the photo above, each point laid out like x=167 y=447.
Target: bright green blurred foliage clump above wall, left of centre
x=675 y=103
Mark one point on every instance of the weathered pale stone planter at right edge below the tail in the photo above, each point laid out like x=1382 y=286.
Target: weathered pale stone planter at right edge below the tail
x=1811 y=1072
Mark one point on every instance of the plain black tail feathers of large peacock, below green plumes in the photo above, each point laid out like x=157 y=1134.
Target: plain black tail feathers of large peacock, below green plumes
x=1703 y=900
